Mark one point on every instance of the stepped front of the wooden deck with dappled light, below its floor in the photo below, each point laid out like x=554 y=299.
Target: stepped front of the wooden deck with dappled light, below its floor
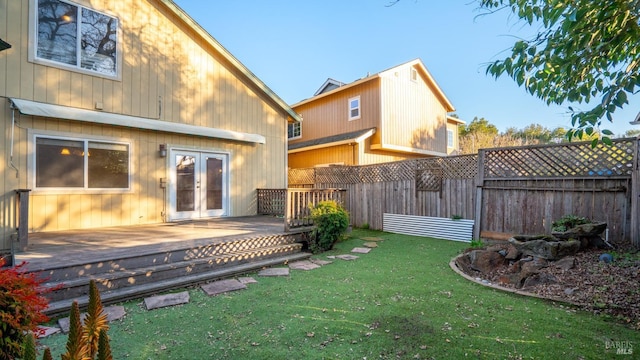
x=127 y=273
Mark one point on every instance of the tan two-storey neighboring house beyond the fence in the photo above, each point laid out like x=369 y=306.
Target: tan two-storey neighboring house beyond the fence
x=397 y=114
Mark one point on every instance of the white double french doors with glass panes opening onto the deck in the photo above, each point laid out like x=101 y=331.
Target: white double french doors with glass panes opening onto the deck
x=198 y=185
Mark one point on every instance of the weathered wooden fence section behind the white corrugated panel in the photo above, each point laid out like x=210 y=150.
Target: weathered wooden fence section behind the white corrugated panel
x=435 y=187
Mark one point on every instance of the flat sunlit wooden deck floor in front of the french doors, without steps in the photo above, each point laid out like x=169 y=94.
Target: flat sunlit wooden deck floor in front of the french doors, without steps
x=61 y=248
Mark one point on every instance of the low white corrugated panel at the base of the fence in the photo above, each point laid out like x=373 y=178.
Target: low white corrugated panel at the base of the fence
x=435 y=227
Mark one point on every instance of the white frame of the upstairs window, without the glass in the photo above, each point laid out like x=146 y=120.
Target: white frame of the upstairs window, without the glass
x=33 y=44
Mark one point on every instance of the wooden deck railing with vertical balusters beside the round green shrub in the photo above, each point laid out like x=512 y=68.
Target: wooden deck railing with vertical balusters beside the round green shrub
x=295 y=204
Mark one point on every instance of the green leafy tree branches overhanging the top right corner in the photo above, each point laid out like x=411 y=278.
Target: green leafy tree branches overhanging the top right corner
x=584 y=50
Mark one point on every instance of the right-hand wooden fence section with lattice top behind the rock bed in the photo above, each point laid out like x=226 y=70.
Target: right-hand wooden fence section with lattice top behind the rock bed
x=523 y=190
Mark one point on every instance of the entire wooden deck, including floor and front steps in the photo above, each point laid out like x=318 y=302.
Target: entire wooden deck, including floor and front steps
x=132 y=261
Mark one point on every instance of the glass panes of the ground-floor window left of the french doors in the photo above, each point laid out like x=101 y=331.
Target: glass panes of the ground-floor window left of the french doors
x=80 y=164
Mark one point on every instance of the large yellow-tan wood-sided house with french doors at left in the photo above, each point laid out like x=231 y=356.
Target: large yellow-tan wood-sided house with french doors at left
x=128 y=112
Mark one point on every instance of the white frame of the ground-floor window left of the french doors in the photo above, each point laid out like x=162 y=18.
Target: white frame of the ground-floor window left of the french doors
x=34 y=134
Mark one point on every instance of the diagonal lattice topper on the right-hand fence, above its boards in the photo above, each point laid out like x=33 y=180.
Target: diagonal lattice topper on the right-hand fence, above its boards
x=566 y=160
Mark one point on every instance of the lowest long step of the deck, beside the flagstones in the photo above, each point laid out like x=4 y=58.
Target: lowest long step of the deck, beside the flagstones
x=133 y=292
